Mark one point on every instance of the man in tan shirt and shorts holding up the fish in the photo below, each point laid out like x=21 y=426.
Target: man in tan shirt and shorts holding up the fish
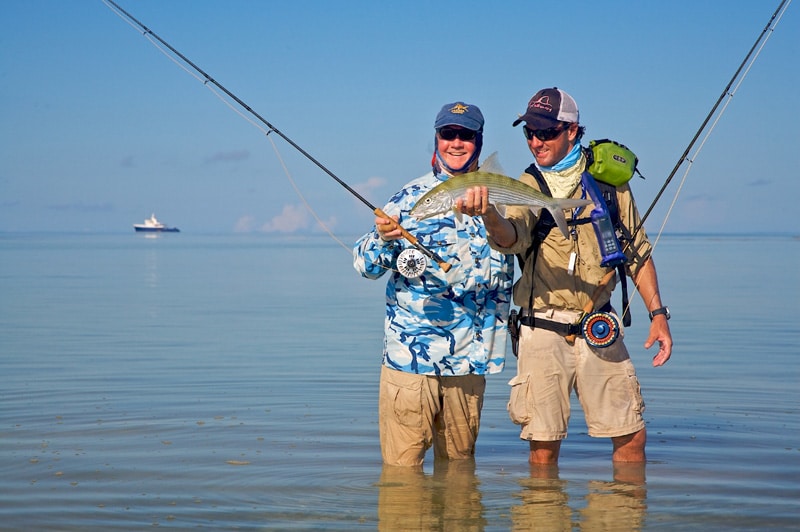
x=559 y=282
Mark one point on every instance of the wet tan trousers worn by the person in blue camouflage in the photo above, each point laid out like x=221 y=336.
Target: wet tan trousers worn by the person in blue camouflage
x=420 y=411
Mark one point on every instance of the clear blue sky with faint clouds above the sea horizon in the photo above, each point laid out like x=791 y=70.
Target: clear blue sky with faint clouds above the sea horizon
x=99 y=128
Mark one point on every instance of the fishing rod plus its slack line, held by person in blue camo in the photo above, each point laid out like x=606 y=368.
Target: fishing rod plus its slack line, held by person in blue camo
x=208 y=81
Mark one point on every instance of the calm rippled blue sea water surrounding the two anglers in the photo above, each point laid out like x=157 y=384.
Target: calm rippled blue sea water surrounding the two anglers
x=230 y=382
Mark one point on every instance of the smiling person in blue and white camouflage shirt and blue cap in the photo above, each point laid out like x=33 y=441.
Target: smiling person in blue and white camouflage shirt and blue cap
x=444 y=331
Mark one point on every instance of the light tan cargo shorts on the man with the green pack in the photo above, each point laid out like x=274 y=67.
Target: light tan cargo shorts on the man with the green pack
x=549 y=369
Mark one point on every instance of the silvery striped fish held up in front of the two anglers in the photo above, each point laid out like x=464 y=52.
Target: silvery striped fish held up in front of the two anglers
x=503 y=191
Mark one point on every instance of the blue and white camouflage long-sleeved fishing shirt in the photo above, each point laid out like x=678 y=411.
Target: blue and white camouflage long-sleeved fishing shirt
x=446 y=324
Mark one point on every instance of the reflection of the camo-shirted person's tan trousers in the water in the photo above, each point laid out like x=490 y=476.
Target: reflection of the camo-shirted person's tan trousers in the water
x=408 y=499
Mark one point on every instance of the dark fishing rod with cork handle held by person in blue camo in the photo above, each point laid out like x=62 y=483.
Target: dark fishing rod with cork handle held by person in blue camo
x=208 y=79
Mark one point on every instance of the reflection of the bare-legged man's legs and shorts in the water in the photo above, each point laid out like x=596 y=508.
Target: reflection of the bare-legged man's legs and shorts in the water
x=616 y=505
